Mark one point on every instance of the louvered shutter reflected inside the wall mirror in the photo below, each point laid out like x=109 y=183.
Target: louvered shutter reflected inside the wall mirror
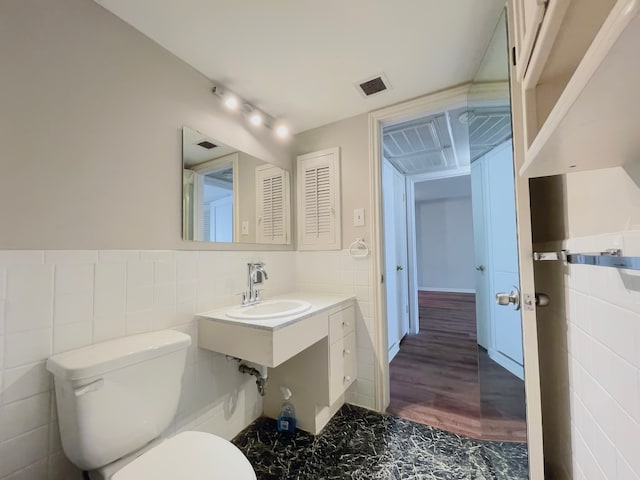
x=272 y=205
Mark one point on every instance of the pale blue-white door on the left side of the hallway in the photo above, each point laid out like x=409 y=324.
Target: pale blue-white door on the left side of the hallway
x=396 y=280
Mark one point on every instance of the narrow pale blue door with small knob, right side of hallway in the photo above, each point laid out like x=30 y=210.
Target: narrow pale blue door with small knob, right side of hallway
x=481 y=253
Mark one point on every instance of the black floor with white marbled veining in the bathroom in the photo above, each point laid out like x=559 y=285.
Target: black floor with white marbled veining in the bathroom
x=360 y=444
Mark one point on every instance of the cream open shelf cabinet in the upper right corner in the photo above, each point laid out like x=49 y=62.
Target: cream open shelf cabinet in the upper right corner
x=578 y=84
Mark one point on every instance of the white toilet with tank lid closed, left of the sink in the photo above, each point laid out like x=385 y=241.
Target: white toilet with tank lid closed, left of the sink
x=114 y=401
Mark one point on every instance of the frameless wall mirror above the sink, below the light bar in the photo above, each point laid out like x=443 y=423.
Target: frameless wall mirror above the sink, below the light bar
x=231 y=196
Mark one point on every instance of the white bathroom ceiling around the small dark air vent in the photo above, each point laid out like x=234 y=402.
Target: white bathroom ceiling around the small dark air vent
x=299 y=60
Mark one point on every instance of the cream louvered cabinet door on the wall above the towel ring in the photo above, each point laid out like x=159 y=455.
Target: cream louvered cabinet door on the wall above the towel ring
x=319 y=200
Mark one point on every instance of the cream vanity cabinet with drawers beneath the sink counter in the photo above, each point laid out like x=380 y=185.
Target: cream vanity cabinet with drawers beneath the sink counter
x=319 y=375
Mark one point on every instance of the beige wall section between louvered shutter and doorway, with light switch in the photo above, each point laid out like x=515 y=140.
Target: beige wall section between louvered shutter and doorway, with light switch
x=352 y=136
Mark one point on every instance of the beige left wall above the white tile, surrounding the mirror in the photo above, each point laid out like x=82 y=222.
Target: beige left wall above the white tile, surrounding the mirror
x=90 y=131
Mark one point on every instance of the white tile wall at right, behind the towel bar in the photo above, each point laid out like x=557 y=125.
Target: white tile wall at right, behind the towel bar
x=603 y=343
